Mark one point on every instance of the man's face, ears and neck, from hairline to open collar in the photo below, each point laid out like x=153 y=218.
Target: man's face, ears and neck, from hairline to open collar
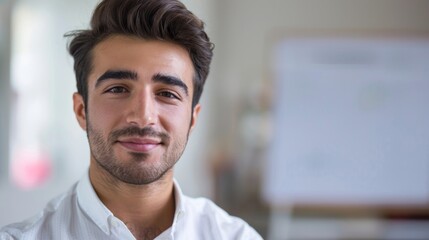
x=138 y=119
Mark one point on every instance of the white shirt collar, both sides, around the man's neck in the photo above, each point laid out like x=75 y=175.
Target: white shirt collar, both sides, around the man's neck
x=100 y=214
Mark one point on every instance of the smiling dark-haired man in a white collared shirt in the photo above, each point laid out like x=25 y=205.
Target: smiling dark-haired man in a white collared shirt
x=140 y=72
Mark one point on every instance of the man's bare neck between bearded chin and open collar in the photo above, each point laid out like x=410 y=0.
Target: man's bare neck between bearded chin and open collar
x=145 y=209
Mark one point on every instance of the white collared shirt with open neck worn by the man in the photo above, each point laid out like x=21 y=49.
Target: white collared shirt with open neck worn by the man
x=79 y=214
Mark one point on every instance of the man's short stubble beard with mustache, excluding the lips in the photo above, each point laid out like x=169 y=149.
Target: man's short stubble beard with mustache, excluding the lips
x=134 y=170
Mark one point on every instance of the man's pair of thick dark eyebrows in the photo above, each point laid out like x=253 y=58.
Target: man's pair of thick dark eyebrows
x=131 y=75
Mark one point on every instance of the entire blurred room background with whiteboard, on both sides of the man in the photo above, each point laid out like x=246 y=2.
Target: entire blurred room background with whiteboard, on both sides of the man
x=314 y=122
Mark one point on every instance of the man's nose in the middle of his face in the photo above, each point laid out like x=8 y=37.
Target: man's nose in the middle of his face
x=142 y=111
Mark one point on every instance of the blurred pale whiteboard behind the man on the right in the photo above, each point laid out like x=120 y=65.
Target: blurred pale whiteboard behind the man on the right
x=350 y=122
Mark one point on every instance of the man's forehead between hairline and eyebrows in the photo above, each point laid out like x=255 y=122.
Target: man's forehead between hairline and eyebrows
x=145 y=57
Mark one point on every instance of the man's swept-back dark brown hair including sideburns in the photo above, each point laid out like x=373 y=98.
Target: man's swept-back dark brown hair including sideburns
x=166 y=20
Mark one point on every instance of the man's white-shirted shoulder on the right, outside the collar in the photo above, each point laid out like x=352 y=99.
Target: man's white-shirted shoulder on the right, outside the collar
x=214 y=219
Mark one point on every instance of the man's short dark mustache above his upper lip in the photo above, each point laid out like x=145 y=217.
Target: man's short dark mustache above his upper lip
x=139 y=132
